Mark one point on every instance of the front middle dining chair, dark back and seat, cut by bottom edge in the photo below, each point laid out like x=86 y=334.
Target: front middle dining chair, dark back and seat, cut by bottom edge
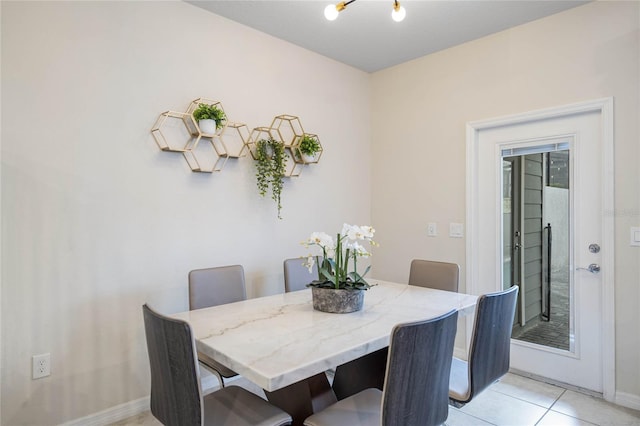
x=416 y=381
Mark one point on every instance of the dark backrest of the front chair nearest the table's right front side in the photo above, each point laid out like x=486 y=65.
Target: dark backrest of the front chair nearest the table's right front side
x=416 y=388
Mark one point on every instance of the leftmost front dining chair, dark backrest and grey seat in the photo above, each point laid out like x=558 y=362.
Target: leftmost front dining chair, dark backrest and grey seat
x=176 y=395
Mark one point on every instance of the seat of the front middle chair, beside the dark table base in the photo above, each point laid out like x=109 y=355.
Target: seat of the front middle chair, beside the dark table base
x=363 y=408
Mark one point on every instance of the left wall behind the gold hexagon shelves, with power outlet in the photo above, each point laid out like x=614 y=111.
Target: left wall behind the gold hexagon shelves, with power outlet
x=96 y=220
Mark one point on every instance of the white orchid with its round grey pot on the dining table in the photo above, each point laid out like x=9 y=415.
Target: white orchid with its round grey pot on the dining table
x=339 y=289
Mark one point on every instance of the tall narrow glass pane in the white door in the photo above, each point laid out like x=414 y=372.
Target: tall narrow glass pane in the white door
x=536 y=250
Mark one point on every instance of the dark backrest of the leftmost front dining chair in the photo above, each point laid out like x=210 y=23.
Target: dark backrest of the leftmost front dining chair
x=176 y=398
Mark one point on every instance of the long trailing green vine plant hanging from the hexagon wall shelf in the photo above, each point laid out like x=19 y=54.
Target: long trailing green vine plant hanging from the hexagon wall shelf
x=270 y=168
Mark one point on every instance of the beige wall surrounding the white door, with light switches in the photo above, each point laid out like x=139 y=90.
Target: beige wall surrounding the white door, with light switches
x=588 y=52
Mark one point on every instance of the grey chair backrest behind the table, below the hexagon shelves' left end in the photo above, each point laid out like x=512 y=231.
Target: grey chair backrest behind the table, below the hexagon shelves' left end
x=216 y=286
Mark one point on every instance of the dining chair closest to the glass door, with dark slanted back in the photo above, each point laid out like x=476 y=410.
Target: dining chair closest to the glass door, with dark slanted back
x=489 y=352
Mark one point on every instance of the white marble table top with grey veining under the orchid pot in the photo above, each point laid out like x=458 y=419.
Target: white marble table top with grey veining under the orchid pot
x=278 y=340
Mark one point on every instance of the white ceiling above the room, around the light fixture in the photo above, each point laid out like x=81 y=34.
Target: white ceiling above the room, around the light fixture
x=364 y=35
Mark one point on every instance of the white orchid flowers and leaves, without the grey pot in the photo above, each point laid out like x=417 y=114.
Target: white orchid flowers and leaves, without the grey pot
x=338 y=255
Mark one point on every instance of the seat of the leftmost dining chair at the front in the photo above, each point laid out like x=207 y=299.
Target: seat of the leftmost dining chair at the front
x=236 y=406
